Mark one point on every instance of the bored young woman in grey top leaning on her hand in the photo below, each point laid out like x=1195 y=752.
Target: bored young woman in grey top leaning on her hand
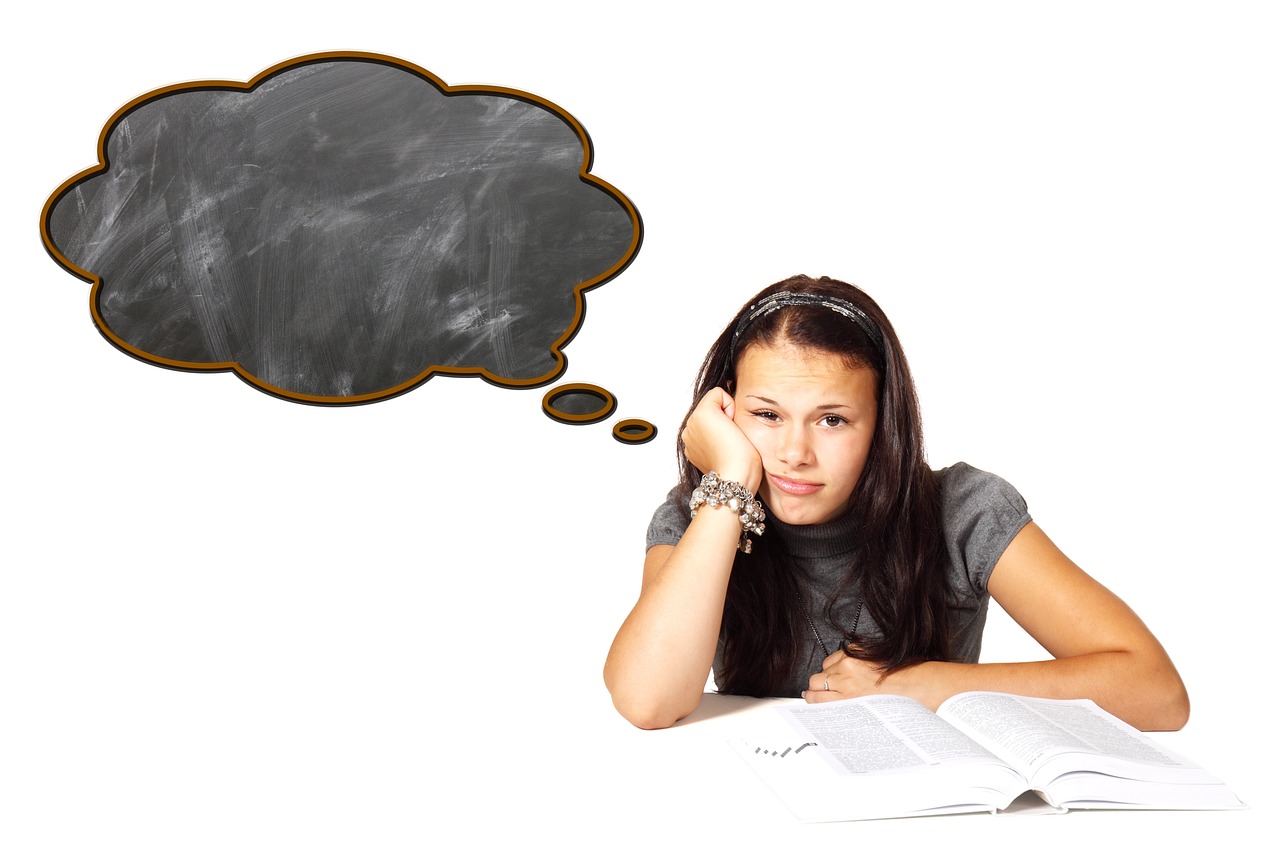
x=811 y=551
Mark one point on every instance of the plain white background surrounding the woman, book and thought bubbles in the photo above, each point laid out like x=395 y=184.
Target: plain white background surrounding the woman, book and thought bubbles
x=230 y=622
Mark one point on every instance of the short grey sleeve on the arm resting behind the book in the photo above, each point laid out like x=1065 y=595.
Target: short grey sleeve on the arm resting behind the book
x=981 y=516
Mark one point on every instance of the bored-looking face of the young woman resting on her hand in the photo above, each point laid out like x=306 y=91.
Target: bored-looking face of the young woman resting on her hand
x=812 y=418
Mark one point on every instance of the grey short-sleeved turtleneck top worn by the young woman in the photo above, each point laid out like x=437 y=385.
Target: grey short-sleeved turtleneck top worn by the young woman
x=981 y=516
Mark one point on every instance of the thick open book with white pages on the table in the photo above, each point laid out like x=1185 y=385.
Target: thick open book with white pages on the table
x=889 y=756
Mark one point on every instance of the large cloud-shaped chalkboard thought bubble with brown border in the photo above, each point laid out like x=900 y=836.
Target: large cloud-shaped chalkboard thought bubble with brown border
x=341 y=229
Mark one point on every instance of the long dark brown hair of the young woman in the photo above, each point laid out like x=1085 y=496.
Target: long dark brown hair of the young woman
x=899 y=559
